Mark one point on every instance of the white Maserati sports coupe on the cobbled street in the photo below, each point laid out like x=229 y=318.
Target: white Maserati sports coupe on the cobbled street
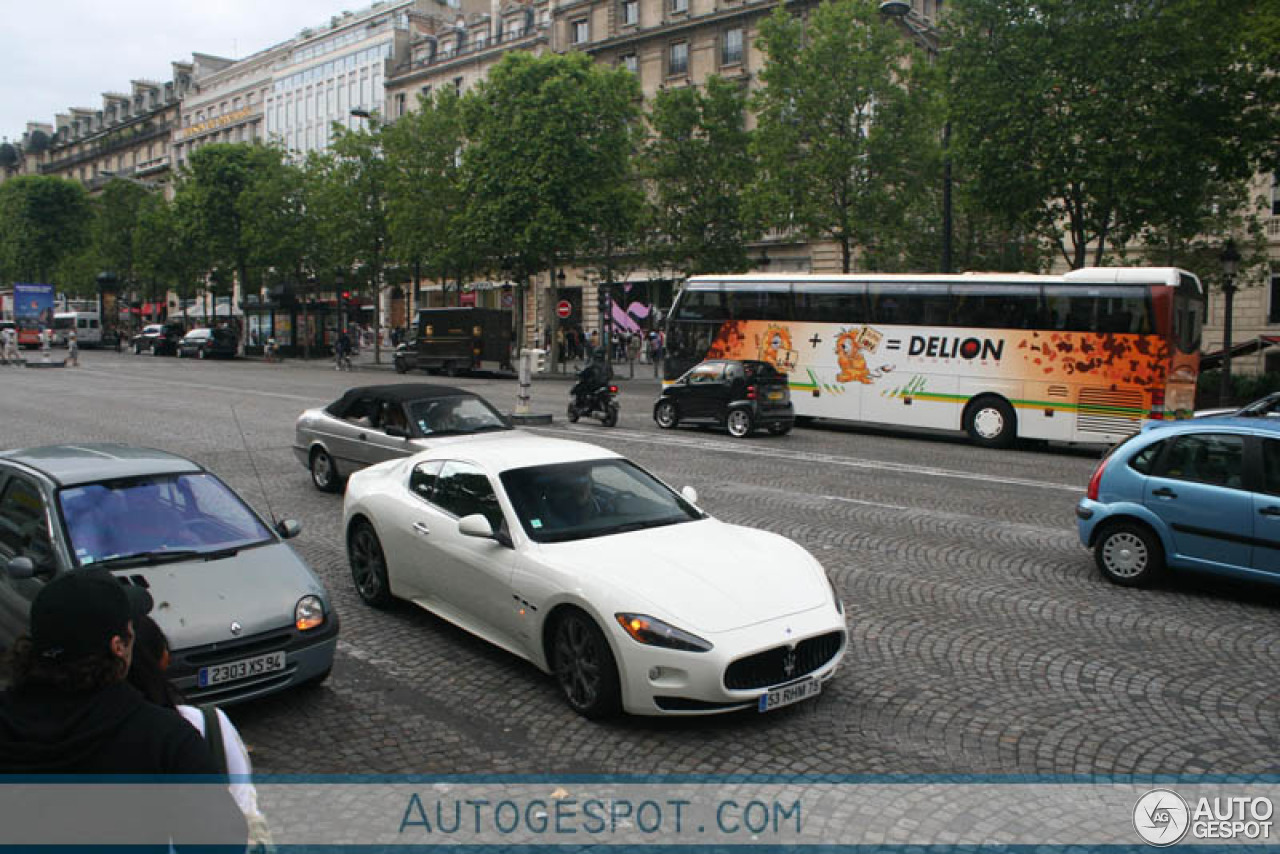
x=587 y=565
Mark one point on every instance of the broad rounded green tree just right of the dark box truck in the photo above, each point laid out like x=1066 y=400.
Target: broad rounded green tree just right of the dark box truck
x=551 y=141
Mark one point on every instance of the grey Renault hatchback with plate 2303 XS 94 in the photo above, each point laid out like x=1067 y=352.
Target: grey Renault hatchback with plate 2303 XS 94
x=244 y=614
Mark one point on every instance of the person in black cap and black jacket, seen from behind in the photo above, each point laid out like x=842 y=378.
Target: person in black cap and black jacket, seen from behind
x=70 y=711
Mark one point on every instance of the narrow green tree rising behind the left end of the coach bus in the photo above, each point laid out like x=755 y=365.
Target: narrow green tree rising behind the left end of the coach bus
x=700 y=165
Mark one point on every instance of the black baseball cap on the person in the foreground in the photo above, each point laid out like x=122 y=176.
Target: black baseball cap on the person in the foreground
x=79 y=613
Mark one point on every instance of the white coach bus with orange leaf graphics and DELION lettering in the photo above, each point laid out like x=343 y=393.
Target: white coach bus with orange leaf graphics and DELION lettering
x=1085 y=357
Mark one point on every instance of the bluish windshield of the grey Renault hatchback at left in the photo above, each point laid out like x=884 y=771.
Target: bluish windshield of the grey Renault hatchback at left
x=150 y=518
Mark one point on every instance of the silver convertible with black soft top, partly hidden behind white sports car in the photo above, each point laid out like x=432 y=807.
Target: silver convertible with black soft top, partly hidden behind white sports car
x=378 y=423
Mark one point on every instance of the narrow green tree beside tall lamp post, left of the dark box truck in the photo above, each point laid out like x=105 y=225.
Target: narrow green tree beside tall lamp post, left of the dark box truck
x=350 y=203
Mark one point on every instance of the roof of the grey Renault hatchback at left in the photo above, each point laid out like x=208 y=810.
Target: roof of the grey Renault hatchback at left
x=94 y=462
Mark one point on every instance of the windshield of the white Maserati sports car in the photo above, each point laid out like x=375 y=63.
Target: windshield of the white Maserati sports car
x=595 y=499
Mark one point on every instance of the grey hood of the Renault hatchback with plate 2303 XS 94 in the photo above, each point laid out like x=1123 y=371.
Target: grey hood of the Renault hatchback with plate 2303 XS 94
x=198 y=601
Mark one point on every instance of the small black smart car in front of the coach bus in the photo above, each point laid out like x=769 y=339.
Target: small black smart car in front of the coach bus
x=740 y=396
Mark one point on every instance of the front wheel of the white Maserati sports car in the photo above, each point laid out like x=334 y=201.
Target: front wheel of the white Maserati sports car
x=584 y=666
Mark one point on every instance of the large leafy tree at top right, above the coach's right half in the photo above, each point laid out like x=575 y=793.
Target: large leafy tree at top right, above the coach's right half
x=1090 y=121
